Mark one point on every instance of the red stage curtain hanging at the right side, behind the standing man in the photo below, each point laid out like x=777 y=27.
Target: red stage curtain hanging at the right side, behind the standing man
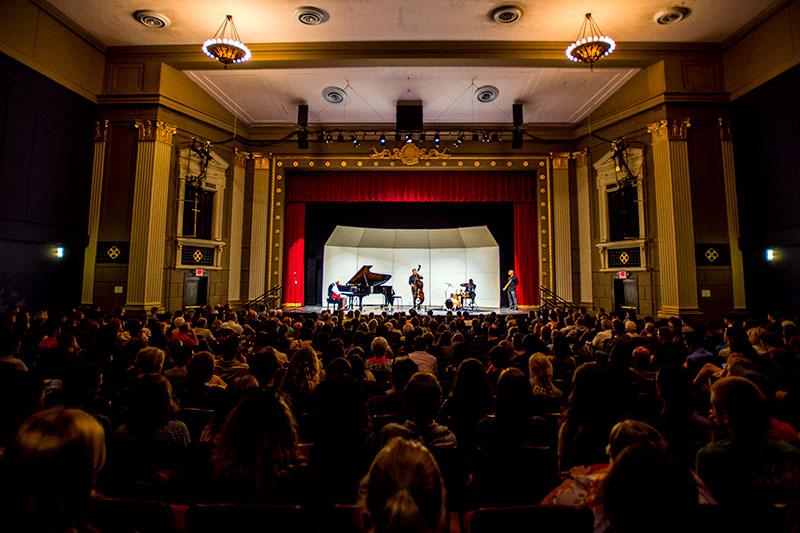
x=525 y=242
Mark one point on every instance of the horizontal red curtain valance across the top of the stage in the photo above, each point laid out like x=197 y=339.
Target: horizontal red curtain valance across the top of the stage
x=401 y=186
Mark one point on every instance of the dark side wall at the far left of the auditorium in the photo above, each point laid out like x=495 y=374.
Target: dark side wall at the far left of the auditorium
x=45 y=178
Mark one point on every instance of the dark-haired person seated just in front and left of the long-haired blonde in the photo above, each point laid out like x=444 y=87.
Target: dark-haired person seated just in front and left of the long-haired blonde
x=513 y=423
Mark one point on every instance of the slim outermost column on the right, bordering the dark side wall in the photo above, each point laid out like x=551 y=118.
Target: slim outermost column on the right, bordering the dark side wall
x=732 y=209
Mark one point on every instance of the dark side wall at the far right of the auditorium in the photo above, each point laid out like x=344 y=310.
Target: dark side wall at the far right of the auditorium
x=767 y=154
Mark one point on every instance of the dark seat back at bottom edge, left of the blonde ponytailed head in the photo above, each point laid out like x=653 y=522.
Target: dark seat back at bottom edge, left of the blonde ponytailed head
x=214 y=518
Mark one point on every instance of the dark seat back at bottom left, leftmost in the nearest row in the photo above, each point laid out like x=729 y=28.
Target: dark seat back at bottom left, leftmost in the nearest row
x=129 y=516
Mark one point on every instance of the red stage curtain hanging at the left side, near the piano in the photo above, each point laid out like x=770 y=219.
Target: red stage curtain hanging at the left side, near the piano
x=294 y=245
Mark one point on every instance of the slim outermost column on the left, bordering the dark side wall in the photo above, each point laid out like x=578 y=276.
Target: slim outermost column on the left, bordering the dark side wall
x=98 y=169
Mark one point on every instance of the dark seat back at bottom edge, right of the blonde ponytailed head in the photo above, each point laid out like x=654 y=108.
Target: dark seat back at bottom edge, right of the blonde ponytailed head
x=538 y=518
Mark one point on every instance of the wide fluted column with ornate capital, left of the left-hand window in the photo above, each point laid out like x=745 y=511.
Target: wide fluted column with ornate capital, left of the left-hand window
x=149 y=219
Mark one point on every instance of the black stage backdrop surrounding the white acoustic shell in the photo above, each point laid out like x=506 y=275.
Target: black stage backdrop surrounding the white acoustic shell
x=322 y=218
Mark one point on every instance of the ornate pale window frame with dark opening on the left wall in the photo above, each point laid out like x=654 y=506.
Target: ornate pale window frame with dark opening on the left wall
x=200 y=212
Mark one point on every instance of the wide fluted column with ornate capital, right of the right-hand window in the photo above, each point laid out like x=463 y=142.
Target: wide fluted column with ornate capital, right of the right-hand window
x=674 y=216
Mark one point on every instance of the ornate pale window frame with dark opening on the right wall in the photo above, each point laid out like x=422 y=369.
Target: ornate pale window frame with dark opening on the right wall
x=621 y=213
